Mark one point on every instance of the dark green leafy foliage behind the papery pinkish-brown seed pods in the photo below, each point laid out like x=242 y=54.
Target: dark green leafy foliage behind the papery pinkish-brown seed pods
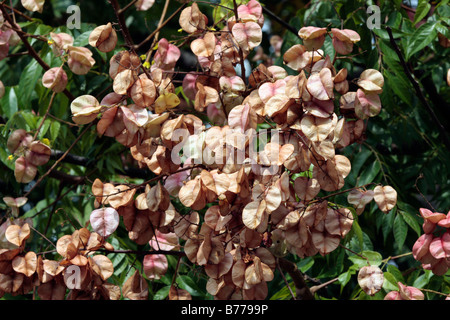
x=404 y=147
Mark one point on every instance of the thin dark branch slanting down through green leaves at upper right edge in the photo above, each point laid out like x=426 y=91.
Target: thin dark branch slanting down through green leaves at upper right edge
x=418 y=90
